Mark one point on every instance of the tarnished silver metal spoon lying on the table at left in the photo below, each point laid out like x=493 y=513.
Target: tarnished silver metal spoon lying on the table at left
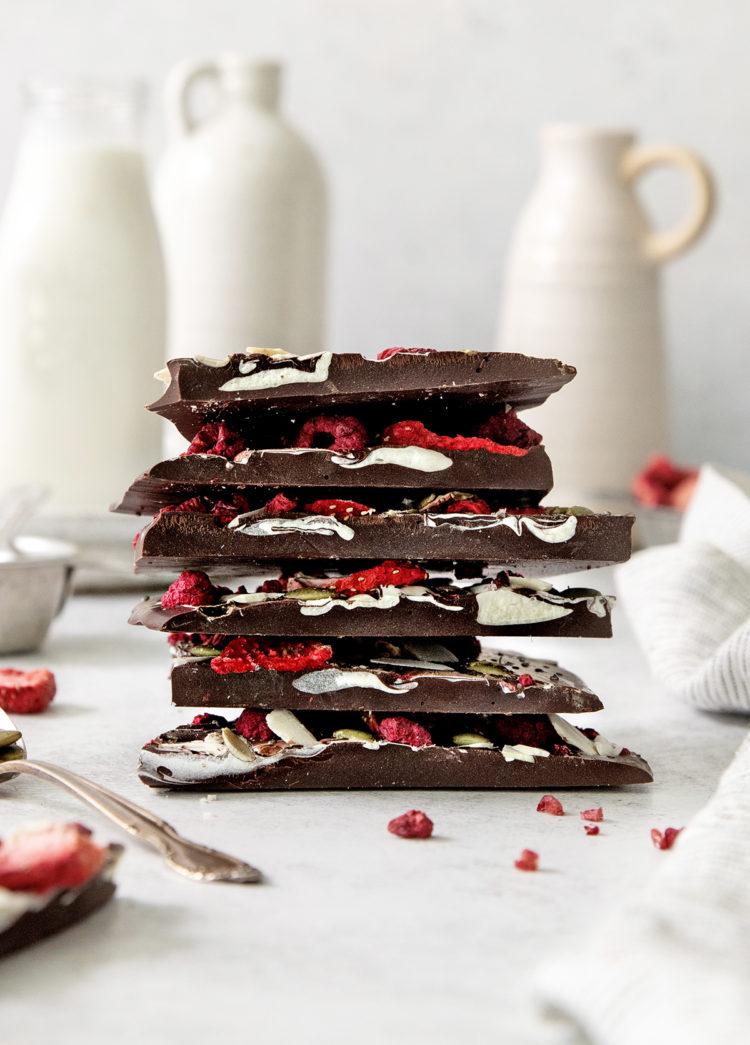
x=189 y=858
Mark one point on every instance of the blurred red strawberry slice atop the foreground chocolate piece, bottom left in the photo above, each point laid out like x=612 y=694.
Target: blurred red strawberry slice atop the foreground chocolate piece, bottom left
x=50 y=856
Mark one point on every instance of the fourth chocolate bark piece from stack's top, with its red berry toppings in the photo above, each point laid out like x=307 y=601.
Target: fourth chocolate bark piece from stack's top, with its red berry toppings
x=395 y=597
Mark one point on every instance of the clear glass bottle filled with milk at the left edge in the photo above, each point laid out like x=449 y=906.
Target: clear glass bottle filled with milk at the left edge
x=82 y=298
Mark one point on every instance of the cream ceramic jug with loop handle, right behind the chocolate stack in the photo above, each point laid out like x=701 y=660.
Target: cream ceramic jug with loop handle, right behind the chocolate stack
x=582 y=285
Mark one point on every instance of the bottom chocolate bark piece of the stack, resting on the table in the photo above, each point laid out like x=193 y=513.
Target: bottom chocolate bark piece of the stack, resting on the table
x=282 y=750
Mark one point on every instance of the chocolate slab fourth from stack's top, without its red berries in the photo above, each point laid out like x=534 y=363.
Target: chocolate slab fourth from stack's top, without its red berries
x=429 y=609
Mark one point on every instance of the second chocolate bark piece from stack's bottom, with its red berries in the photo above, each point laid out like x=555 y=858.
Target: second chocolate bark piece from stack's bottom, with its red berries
x=370 y=676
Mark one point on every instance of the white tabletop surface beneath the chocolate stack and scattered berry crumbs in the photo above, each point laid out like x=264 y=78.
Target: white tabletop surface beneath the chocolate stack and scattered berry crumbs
x=357 y=936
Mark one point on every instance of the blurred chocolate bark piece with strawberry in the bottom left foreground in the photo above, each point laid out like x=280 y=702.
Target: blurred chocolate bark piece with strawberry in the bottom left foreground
x=52 y=876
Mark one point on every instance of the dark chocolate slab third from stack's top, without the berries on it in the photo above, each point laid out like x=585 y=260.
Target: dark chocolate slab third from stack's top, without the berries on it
x=534 y=545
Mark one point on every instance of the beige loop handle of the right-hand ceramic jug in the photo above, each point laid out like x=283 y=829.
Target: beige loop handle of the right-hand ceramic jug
x=663 y=246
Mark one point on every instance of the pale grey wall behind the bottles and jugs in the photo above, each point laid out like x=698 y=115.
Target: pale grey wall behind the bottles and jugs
x=426 y=115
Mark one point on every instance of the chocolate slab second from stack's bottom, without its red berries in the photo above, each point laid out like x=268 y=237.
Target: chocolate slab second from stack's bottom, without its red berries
x=381 y=684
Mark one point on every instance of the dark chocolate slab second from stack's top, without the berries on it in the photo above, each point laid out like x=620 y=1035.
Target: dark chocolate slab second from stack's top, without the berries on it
x=525 y=480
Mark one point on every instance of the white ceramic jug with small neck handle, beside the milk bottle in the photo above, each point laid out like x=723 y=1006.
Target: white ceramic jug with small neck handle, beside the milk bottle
x=242 y=205
